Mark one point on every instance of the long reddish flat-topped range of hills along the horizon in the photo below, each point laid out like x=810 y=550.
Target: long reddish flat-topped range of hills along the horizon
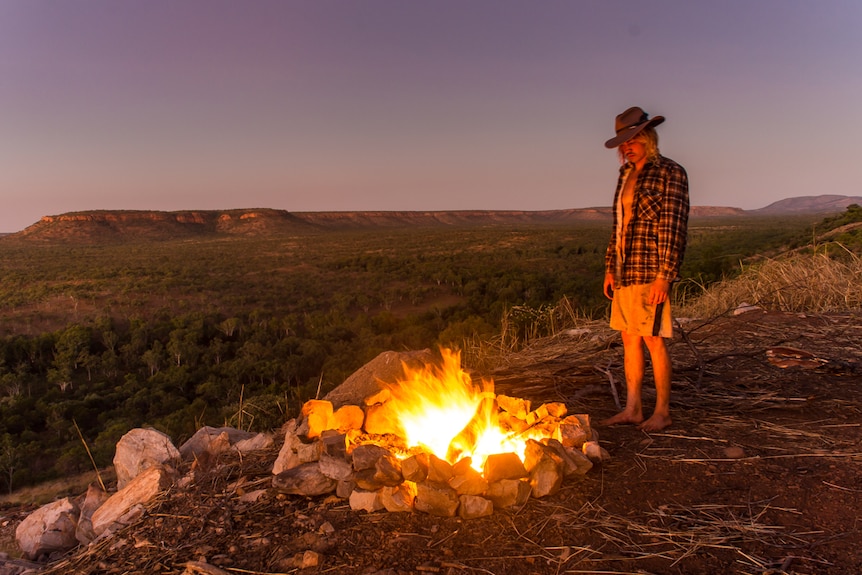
x=125 y=225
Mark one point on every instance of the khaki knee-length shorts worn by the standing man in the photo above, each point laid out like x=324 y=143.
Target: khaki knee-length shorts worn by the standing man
x=631 y=313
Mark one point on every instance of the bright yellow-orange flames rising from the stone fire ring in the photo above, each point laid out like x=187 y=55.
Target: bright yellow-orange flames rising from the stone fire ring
x=442 y=411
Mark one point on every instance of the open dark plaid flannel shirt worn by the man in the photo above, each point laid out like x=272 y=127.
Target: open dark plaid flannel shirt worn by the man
x=656 y=234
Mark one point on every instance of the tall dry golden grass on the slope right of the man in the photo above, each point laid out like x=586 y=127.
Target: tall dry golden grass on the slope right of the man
x=810 y=281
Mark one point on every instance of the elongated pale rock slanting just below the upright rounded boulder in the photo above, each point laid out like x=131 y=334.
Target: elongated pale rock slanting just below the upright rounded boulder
x=122 y=507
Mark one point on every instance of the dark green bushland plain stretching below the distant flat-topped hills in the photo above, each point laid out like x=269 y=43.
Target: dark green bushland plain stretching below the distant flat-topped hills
x=242 y=330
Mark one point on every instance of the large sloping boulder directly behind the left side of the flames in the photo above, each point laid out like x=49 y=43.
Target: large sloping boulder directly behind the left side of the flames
x=386 y=368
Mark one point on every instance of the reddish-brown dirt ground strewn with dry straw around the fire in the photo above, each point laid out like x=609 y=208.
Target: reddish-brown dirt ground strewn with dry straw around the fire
x=761 y=473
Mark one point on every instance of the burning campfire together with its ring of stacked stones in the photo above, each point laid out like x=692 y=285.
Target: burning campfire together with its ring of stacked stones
x=435 y=442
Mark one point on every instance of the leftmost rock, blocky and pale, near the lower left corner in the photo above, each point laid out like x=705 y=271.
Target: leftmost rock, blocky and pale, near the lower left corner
x=49 y=529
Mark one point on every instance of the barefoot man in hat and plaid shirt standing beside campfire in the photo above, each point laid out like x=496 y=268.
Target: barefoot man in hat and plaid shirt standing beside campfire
x=643 y=259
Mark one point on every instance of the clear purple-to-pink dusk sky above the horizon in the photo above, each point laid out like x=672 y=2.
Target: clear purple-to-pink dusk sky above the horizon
x=346 y=105
